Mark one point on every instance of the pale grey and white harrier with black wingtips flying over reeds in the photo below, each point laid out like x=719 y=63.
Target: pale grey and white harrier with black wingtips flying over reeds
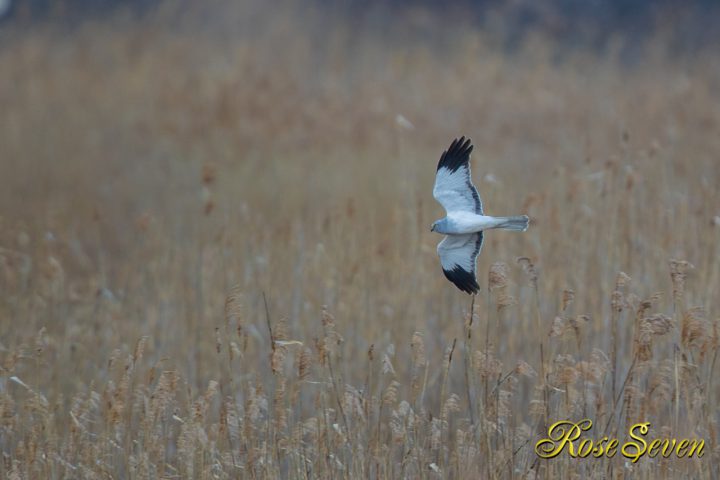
x=464 y=220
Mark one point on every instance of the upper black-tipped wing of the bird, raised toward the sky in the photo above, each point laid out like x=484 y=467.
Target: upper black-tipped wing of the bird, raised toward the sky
x=453 y=185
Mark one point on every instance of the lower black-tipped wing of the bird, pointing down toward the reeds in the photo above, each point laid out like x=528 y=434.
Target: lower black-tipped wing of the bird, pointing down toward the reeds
x=457 y=257
